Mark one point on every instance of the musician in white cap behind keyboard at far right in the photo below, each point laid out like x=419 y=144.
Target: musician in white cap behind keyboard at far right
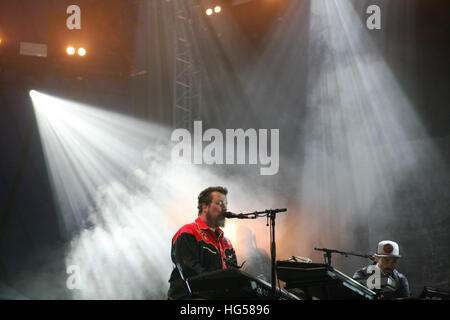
x=386 y=258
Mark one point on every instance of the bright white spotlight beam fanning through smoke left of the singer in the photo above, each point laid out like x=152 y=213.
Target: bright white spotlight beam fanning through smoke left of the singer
x=92 y=156
